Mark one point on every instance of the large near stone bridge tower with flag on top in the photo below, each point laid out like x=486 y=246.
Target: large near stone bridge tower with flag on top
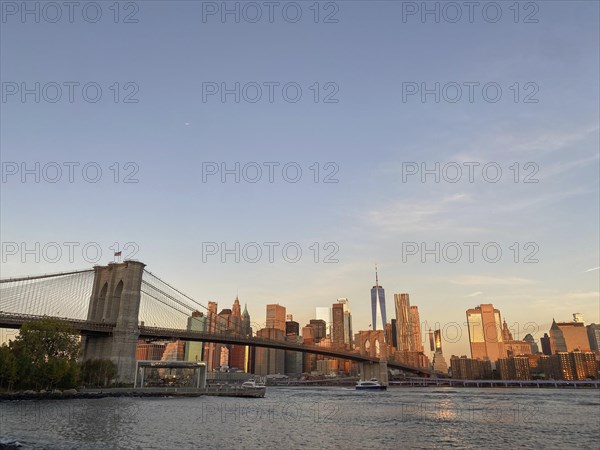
x=115 y=299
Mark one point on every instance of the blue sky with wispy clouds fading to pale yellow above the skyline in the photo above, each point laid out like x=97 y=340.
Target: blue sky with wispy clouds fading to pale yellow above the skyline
x=348 y=95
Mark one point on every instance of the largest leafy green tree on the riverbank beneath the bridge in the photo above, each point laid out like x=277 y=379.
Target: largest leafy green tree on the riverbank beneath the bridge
x=45 y=352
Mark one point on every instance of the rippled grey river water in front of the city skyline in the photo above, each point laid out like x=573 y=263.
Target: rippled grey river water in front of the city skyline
x=312 y=418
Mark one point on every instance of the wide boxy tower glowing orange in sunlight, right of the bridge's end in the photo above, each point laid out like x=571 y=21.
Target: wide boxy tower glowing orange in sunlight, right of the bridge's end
x=485 y=332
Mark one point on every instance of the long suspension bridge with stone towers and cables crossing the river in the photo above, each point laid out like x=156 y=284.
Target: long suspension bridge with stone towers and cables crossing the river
x=115 y=306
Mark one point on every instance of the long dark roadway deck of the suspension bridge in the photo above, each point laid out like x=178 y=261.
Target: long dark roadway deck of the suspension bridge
x=11 y=320
